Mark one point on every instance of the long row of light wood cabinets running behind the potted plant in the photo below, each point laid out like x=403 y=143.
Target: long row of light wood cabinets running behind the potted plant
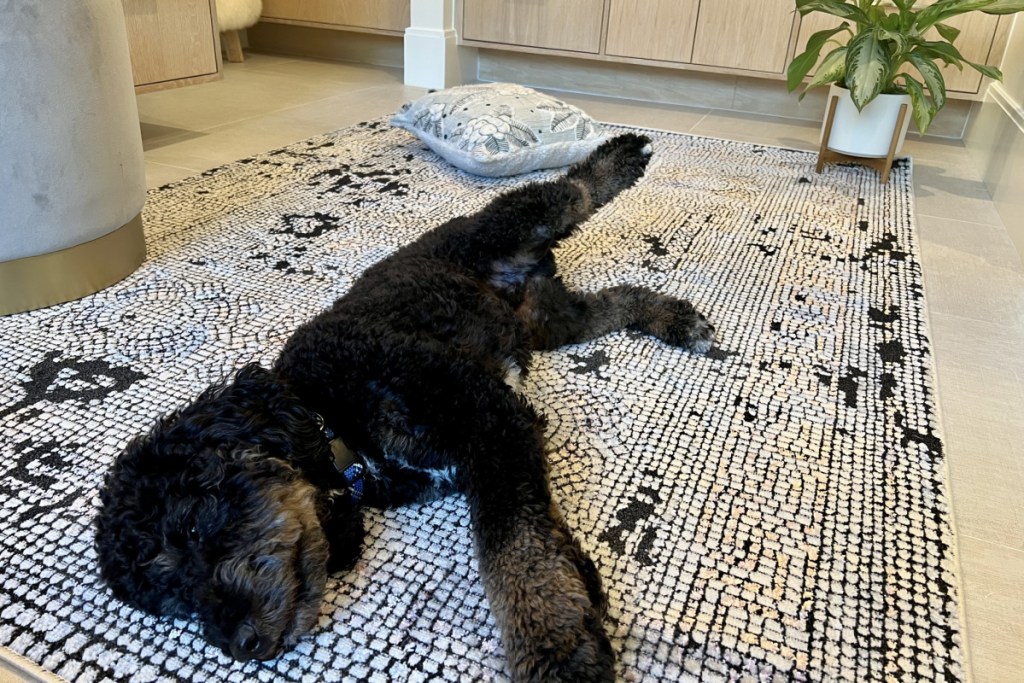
x=741 y=37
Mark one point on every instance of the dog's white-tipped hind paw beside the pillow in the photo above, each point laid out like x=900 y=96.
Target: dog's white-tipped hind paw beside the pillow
x=616 y=165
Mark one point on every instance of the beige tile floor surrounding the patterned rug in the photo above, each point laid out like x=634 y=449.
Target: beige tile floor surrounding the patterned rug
x=974 y=280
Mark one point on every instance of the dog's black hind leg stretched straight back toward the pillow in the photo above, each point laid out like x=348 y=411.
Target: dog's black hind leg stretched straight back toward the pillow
x=519 y=229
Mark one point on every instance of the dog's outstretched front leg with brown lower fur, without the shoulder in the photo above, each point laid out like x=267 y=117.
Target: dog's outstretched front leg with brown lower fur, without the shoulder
x=544 y=590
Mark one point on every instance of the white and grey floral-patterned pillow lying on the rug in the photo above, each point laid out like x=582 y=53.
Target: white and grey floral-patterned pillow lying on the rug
x=499 y=130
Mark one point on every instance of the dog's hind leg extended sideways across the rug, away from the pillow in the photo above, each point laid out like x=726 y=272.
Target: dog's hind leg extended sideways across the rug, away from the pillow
x=556 y=316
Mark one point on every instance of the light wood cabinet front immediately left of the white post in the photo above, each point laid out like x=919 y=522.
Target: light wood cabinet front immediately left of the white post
x=376 y=16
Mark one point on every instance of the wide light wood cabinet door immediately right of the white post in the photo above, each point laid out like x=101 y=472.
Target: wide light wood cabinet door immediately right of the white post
x=562 y=25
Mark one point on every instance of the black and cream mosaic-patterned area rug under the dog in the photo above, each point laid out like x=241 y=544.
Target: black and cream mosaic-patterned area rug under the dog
x=774 y=511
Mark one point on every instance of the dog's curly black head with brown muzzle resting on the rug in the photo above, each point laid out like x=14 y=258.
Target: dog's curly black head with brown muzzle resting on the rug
x=210 y=516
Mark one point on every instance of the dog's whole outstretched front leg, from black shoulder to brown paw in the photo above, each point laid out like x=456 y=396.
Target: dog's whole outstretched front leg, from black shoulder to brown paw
x=543 y=589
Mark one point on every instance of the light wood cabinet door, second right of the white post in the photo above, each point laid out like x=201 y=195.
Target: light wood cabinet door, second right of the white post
x=653 y=29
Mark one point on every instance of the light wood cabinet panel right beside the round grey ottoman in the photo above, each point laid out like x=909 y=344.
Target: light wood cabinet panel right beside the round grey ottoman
x=173 y=42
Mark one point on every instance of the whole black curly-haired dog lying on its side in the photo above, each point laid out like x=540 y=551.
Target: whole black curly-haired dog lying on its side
x=235 y=508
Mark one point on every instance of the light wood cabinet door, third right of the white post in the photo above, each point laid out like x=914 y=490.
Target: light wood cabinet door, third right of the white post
x=744 y=34
